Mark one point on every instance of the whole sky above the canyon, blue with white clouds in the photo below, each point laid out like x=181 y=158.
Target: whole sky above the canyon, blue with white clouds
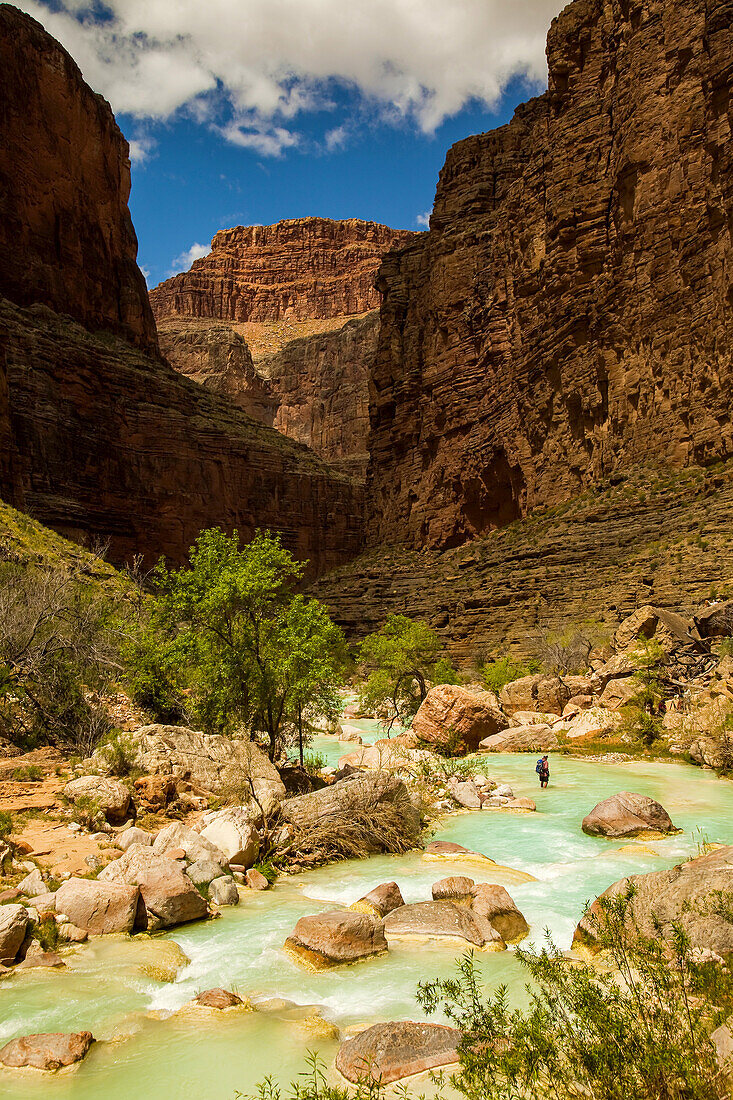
x=249 y=112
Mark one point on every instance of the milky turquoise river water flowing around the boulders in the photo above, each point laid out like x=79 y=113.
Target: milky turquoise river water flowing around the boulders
x=154 y=1050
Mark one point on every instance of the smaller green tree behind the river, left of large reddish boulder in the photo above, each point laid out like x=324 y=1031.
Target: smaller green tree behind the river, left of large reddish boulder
x=400 y=662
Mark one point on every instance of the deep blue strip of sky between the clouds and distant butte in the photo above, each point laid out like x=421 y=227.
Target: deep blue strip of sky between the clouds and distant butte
x=194 y=184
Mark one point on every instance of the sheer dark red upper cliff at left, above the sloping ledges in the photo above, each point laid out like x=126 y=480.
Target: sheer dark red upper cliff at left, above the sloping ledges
x=67 y=237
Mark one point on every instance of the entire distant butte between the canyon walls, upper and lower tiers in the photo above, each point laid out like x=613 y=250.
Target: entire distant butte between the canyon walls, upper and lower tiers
x=310 y=283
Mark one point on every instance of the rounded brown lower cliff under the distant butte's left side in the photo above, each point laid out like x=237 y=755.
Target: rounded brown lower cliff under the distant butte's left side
x=220 y=359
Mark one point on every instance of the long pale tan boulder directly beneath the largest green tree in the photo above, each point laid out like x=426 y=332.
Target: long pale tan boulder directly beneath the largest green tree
x=210 y=762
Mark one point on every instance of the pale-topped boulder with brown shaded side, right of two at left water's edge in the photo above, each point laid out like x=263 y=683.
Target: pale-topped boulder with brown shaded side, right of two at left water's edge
x=168 y=895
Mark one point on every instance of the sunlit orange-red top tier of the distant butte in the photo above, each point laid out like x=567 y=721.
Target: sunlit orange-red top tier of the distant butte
x=298 y=270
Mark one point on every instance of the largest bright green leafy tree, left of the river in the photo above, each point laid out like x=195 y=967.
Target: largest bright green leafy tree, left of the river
x=232 y=635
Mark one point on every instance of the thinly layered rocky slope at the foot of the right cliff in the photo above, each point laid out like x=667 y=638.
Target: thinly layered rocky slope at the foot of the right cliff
x=661 y=538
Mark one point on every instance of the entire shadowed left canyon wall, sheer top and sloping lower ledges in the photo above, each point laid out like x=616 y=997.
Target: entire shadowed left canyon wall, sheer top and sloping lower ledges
x=101 y=439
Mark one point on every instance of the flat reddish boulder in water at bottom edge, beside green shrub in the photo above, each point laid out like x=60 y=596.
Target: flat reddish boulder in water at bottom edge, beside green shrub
x=389 y=1052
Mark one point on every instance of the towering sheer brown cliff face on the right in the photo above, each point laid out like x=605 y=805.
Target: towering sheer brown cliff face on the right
x=571 y=312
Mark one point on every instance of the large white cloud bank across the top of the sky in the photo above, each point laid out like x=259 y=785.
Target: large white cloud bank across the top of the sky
x=270 y=61
